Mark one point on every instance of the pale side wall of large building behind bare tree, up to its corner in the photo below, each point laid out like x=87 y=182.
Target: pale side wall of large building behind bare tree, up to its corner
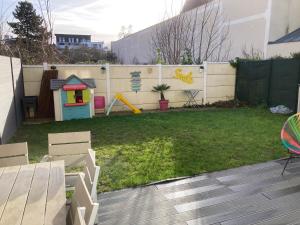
x=247 y=29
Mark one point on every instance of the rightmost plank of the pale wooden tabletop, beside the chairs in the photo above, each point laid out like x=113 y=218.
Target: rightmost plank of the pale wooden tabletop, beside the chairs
x=56 y=198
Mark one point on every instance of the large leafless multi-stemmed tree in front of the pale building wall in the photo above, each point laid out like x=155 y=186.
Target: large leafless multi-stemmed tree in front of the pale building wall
x=202 y=31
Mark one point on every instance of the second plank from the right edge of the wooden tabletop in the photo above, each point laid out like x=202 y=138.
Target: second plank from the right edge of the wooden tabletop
x=35 y=208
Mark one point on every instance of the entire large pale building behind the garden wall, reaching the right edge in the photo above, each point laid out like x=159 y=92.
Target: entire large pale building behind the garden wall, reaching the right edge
x=252 y=25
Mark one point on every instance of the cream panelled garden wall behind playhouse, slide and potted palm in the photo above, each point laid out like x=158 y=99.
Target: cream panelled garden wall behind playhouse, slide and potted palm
x=220 y=82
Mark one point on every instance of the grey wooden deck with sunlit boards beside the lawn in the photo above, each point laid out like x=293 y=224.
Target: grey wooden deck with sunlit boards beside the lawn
x=255 y=194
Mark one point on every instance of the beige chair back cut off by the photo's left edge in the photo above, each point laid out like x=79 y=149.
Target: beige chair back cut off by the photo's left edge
x=13 y=154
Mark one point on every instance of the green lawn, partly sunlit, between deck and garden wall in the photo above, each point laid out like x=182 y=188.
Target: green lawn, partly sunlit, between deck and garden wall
x=139 y=149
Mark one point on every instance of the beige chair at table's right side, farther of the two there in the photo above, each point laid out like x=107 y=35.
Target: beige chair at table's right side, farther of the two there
x=91 y=174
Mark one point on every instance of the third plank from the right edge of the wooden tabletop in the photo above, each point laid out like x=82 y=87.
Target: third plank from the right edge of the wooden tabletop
x=15 y=206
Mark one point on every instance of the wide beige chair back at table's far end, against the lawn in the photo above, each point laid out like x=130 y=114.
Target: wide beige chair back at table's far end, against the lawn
x=71 y=147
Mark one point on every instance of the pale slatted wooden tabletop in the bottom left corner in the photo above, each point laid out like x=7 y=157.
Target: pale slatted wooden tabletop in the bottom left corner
x=33 y=194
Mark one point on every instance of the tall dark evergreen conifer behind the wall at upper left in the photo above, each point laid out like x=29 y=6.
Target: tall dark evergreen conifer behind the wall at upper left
x=31 y=35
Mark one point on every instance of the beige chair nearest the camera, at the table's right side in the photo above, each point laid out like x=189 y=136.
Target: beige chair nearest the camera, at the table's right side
x=81 y=199
